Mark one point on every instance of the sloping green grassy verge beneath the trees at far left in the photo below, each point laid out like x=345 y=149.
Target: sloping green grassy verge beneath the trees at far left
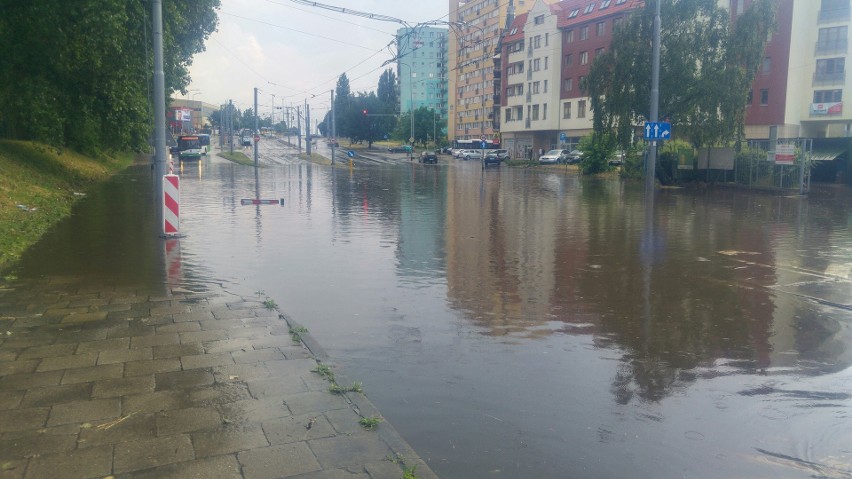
x=38 y=187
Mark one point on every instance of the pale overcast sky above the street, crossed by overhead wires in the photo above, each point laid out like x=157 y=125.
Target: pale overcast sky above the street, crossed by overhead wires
x=294 y=51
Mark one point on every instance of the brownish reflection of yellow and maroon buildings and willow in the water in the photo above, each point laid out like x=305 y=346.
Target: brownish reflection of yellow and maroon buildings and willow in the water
x=523 y=260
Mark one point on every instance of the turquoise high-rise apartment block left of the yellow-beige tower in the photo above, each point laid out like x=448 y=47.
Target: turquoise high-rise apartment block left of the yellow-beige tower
x=422 y=68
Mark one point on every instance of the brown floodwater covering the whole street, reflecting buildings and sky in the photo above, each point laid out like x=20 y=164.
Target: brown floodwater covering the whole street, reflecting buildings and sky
x=529 y=324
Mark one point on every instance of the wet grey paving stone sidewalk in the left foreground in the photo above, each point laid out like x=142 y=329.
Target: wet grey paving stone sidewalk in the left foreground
x=119 y=382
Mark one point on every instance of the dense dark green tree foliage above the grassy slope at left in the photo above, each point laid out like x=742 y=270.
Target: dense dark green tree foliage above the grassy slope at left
x=79 y=76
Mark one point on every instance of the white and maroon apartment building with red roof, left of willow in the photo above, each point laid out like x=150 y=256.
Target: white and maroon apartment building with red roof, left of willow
x=547 y=54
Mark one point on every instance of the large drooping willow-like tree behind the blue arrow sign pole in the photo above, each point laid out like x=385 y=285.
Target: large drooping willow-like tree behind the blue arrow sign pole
x=707 y=66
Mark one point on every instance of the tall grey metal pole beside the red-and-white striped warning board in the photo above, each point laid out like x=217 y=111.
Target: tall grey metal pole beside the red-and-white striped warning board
x=159 y=109
